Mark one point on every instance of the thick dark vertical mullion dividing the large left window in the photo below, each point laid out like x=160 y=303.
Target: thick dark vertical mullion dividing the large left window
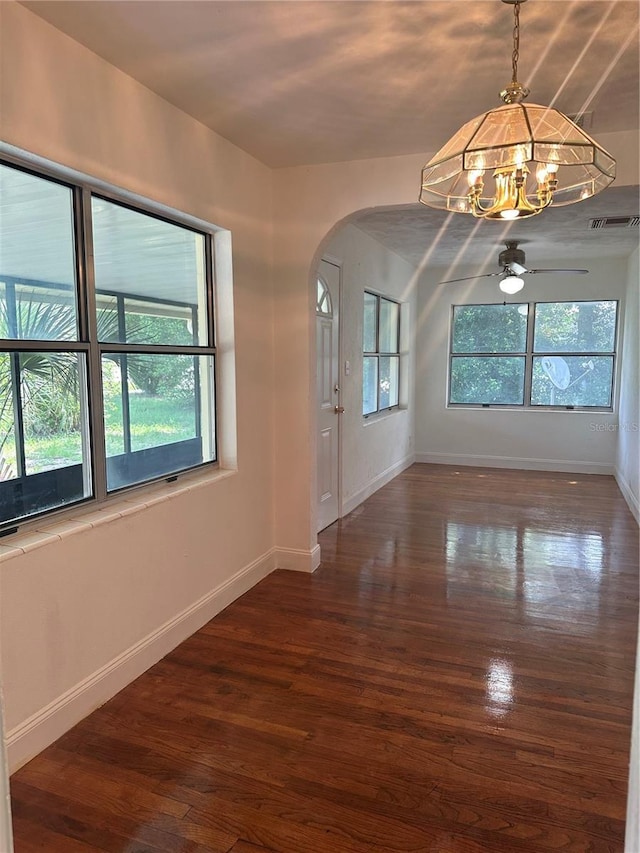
x=89 y=325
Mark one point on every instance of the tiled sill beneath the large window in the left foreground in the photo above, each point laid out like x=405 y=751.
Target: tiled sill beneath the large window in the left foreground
x=47 y=531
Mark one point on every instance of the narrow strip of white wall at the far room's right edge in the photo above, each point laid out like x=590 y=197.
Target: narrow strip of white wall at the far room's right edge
x=627 y=455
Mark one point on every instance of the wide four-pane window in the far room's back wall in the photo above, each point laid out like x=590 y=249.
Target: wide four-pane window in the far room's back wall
x=543 y=354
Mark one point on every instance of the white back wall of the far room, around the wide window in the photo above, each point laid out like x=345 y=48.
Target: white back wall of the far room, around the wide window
x=565 y=441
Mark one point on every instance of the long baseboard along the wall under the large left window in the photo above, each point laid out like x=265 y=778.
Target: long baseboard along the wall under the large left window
x=49 y=723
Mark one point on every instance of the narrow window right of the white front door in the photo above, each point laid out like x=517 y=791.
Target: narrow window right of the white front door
x=381 y=358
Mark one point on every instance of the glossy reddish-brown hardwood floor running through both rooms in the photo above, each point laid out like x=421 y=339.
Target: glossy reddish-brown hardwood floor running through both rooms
x=456 y=677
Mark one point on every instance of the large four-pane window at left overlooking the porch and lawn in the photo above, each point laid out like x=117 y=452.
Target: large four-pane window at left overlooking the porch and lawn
x=107 y=357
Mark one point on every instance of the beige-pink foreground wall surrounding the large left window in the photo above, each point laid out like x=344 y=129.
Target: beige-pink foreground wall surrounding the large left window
x=76 y=607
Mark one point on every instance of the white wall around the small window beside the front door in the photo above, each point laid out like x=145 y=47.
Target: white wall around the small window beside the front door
x=378 y=448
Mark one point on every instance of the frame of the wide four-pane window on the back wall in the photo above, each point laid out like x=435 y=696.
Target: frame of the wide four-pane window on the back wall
x=530 y=354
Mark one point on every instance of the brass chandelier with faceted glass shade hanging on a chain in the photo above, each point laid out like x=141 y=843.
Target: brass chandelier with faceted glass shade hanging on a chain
x=515 y=160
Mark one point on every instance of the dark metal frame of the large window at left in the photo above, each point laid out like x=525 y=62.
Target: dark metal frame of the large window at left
x=86 y=343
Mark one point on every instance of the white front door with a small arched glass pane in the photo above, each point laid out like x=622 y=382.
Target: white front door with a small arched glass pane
x=328 y=403
